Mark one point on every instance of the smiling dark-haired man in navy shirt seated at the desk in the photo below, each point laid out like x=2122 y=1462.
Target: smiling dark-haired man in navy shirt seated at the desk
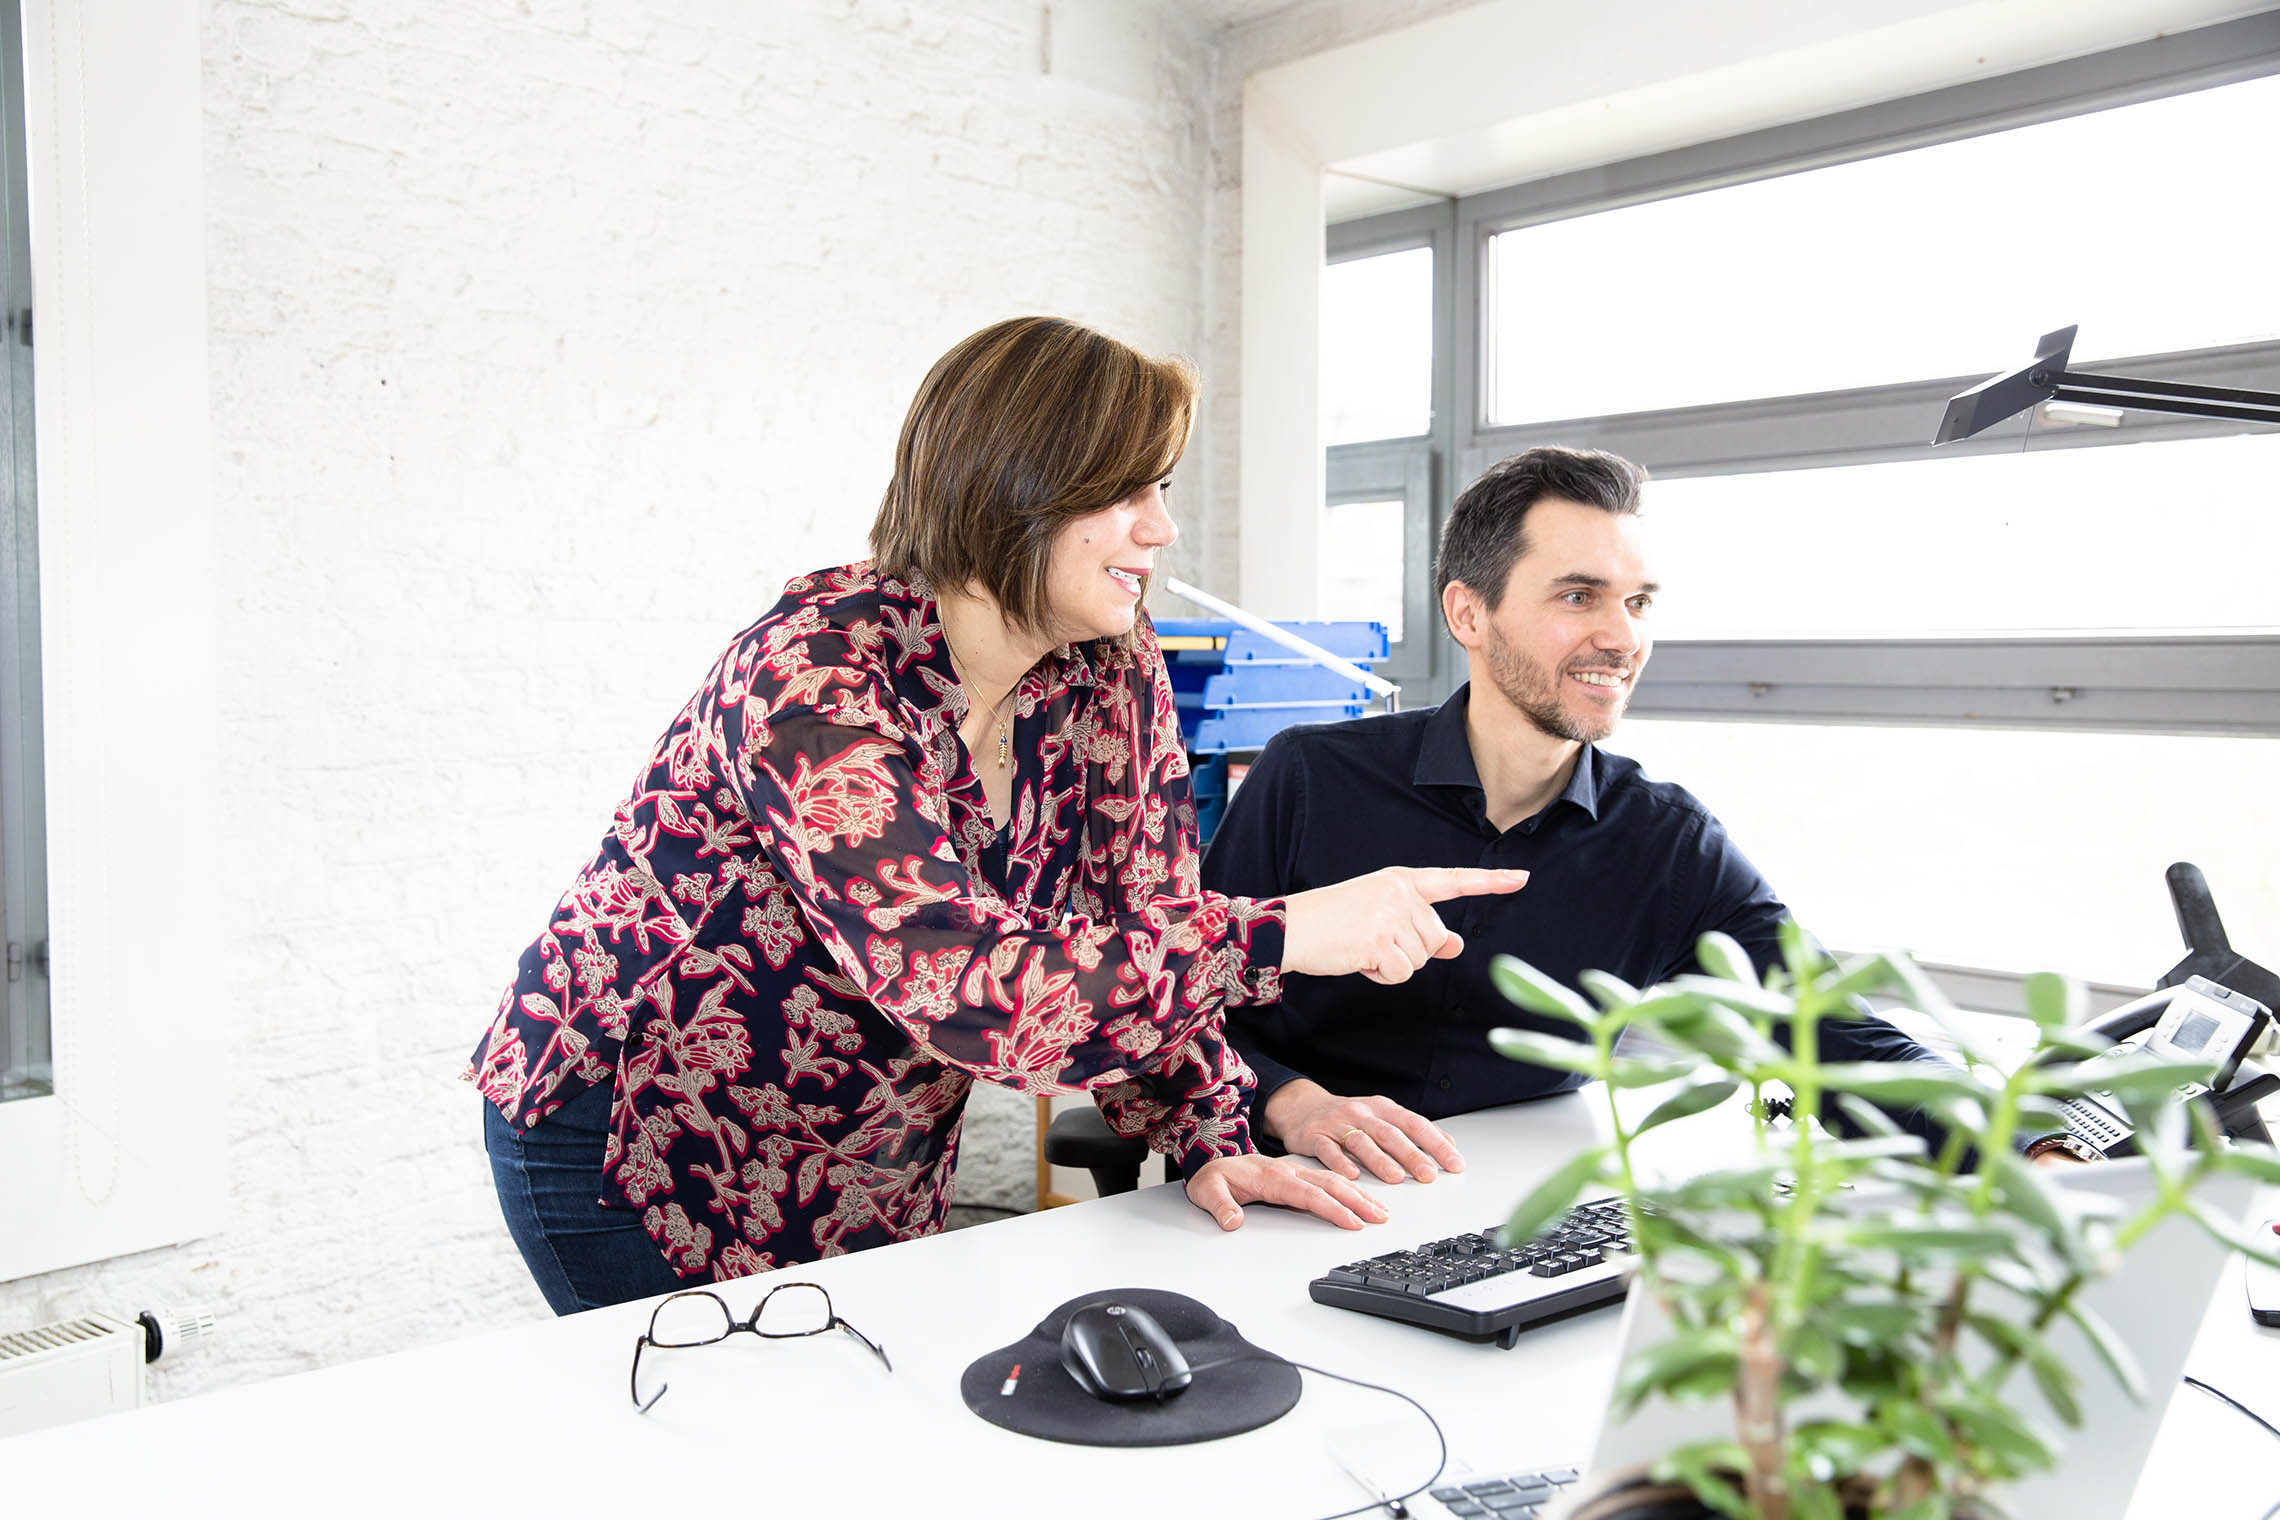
x=1547 y=587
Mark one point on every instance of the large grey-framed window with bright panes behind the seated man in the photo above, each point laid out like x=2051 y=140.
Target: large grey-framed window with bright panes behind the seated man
x=1966 y=701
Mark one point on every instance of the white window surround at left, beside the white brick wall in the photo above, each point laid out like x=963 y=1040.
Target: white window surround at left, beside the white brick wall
x=131 y=1150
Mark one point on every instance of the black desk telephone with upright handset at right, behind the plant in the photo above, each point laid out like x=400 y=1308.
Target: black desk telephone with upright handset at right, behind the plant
x=2210 y=1006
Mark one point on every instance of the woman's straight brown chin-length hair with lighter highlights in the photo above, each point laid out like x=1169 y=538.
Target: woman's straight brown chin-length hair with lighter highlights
x=1013 y=434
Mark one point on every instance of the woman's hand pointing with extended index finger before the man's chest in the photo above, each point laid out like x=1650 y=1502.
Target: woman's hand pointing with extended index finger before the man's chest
x=1383 y=924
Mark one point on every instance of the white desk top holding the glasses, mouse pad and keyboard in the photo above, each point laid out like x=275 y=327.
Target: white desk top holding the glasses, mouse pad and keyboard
x=820 y=1428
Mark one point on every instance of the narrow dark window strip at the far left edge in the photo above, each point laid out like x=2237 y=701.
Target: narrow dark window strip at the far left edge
x=26 y=1045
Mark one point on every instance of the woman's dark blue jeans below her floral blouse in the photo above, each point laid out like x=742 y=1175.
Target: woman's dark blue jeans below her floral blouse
x=551 y=1186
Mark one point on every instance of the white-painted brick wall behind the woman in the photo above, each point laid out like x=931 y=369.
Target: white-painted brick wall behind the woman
x=548 y=341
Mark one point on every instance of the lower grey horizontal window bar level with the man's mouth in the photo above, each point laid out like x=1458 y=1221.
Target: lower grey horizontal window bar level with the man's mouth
x=2149 y=685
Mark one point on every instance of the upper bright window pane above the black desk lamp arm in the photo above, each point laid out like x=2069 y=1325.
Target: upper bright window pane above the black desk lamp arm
x=2137 y=222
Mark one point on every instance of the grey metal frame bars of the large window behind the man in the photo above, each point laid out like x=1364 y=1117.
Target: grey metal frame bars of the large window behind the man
x=1982 y=683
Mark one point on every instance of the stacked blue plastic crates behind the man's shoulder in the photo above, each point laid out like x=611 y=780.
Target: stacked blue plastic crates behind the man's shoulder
x=1239 y=689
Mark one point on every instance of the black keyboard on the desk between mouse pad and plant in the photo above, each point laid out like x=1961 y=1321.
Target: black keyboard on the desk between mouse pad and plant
x=1476 y=1289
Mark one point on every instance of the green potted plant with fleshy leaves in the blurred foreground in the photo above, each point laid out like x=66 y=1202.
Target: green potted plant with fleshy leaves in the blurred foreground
x=1782 y=1282
